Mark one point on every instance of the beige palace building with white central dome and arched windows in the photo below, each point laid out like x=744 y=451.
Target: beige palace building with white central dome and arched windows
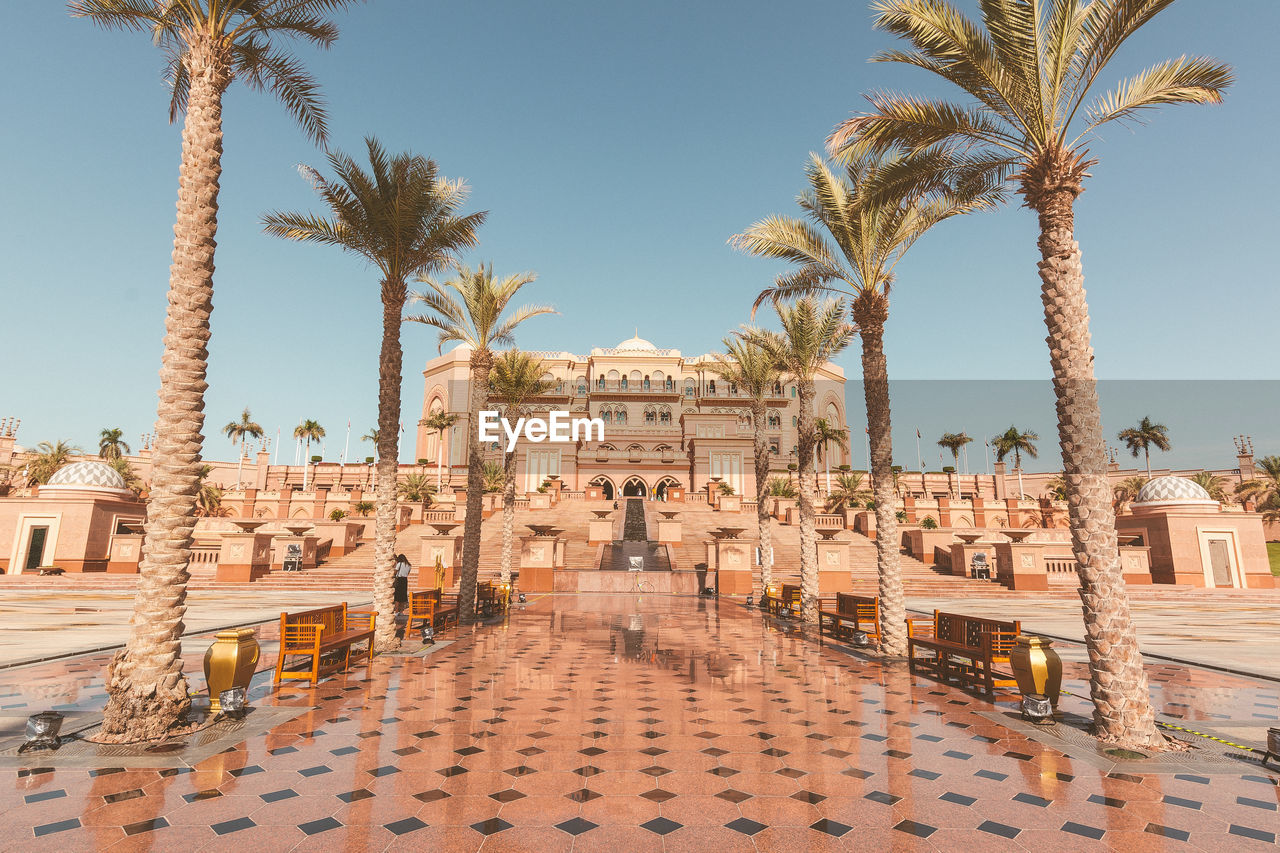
x=670 y=422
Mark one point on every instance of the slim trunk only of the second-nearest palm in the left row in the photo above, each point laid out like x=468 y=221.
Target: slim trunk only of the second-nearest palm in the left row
x=391 y=363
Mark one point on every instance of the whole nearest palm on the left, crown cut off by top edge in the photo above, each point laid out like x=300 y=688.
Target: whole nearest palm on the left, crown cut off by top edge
x=209 y=44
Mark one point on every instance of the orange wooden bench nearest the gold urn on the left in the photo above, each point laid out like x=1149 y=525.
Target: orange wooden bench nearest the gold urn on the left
x=324 y=637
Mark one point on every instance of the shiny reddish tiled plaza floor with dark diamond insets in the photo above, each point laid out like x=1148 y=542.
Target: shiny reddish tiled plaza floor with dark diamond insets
x=641 y=724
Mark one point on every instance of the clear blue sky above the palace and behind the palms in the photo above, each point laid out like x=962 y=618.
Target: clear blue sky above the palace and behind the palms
x=616 y=148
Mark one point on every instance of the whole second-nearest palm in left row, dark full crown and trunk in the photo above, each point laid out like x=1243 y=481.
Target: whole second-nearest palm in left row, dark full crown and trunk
x=401 y=217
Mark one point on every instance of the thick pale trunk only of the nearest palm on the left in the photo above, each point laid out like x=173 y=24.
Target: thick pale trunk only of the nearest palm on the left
x=145 y=685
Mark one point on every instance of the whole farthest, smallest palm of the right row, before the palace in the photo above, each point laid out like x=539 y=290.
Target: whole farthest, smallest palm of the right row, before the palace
x=747 y=366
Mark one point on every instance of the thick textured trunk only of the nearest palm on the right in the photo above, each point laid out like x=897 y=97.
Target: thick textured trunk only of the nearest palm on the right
x=1122 y=701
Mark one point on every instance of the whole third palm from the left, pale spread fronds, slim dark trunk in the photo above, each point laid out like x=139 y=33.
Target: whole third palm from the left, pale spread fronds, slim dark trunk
x=473 y=309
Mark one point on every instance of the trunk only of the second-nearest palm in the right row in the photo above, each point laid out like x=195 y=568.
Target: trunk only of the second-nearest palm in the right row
x=871 y=313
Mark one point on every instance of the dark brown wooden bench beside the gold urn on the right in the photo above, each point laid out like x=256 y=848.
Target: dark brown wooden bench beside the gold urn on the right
x=967 y=649
